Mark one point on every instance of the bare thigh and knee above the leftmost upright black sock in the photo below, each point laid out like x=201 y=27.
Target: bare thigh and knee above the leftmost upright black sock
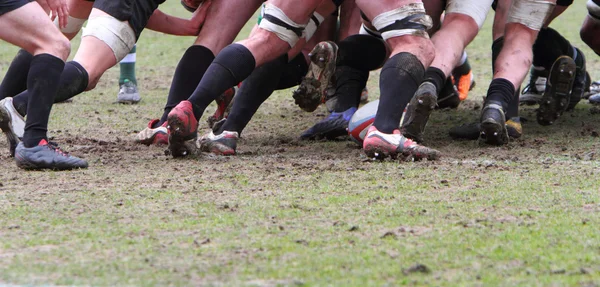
x=30 y=28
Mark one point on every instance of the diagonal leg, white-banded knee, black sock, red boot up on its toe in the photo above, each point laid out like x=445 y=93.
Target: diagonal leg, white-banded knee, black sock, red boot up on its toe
x=279 y=31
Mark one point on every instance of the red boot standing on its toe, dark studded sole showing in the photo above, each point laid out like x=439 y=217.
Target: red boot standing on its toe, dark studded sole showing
x=182 y=126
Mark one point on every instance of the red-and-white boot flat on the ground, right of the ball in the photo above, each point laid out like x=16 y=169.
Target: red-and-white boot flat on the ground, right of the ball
x=380 y=145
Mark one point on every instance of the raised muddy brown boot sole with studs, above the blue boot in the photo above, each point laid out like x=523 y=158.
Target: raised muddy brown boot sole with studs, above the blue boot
x=318 y=82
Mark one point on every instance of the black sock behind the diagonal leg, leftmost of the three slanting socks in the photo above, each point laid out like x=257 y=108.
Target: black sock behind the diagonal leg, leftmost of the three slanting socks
x=188 y=74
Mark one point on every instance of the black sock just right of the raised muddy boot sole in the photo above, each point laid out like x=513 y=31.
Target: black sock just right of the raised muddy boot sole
x=350 y=83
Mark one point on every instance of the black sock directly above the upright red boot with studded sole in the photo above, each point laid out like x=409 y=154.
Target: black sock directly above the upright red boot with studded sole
x=230 y=67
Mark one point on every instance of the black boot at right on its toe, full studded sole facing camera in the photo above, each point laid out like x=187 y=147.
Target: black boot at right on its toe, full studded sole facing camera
x=558 y=91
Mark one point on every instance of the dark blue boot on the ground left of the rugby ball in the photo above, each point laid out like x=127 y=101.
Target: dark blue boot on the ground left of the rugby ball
x=335 y=125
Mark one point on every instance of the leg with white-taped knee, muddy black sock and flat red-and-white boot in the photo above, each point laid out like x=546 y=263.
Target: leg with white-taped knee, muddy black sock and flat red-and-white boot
x=404 y=26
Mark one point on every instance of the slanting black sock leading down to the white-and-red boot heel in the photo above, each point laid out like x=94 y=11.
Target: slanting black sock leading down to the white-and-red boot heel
x=254 y=91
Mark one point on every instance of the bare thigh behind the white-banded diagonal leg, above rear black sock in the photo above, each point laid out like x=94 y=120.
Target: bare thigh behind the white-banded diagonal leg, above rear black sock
x=236 y=13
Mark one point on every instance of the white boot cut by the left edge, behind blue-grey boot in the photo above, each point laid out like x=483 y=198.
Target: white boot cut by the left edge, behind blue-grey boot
x=11 y=123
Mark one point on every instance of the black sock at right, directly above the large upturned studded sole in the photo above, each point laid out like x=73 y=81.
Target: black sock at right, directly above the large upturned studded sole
x=548 y=46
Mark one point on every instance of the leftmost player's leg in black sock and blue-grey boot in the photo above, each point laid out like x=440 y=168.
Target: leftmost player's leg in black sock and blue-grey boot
x=30 y=28
